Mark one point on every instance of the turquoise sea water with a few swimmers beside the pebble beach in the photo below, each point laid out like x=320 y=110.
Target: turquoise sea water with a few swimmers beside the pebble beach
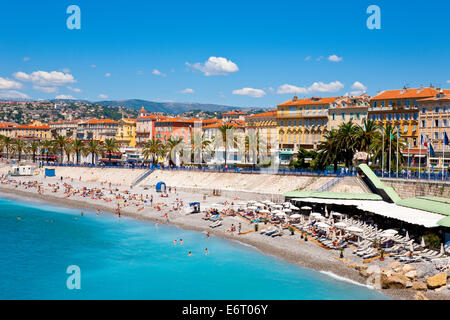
x=128 y=259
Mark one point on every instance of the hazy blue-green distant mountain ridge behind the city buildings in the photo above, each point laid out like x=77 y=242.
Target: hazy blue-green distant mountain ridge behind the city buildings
x=167 y=107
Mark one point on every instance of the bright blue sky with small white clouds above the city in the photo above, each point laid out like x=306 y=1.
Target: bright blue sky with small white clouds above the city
x=242 y=53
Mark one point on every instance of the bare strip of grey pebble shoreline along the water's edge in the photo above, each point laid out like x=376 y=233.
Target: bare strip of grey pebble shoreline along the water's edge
x=330 y=267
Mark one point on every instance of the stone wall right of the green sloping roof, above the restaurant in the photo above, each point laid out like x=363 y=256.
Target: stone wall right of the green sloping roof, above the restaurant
x=413 y=188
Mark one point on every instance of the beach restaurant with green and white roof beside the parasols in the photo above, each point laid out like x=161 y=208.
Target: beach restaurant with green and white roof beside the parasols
x=418 y=216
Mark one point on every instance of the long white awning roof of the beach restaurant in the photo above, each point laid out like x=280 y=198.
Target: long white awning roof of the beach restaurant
x=390 y=210
